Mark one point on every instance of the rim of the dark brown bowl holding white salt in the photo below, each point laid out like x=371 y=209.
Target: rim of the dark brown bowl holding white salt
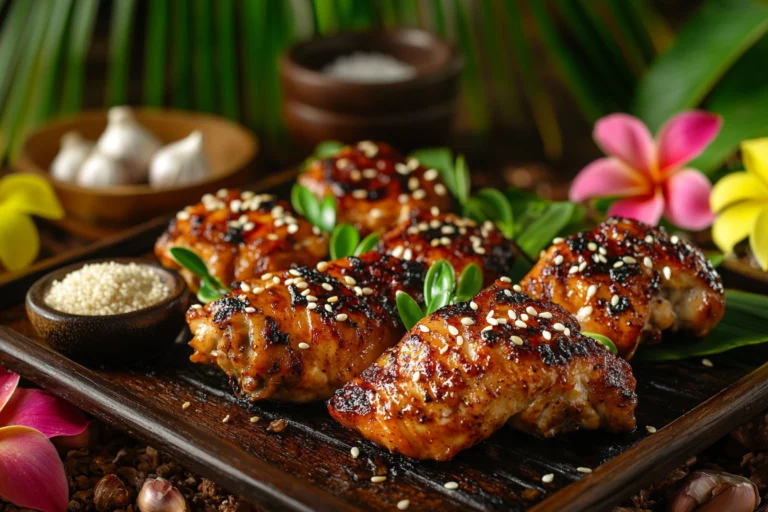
x=296 y=72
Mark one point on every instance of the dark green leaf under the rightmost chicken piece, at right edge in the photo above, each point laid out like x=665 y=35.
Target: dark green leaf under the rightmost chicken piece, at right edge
x=744 y=323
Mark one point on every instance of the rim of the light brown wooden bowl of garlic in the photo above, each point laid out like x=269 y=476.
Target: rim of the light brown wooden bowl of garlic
x=25 y=163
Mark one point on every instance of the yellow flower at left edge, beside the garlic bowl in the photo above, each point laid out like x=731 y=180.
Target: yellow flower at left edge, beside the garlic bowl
x=22 y=195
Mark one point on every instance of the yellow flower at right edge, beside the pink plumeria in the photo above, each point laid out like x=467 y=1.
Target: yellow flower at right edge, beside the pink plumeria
x=740 y=201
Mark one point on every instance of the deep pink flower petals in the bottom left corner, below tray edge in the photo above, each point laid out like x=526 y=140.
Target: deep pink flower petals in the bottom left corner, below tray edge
x=31 y=472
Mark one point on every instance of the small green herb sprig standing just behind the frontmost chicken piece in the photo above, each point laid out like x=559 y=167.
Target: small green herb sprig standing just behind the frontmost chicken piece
x=440 y=289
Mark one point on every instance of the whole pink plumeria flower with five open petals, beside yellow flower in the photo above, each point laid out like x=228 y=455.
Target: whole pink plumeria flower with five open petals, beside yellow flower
x=649 y=176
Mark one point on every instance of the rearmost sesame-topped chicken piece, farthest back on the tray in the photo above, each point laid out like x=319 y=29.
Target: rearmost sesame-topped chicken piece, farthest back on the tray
x=374 y=186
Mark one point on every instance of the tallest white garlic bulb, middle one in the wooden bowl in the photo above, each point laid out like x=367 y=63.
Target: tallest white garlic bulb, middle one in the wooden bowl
x=129 y=142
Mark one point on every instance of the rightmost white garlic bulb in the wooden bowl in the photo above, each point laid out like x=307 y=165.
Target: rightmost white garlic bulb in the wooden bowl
x=180 y=163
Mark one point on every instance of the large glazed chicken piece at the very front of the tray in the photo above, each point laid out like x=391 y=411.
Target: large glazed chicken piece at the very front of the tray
x=463 y=372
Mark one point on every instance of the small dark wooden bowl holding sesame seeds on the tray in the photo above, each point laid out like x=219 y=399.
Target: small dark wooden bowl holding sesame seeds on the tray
x=110 y=339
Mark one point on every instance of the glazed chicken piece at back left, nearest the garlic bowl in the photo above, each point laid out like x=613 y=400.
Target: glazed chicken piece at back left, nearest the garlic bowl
x=241 y=235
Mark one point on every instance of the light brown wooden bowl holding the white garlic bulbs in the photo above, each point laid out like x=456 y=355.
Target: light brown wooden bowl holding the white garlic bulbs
x=229 y=148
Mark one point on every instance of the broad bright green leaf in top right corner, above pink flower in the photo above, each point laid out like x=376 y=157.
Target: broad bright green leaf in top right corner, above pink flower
x=705 y=48
